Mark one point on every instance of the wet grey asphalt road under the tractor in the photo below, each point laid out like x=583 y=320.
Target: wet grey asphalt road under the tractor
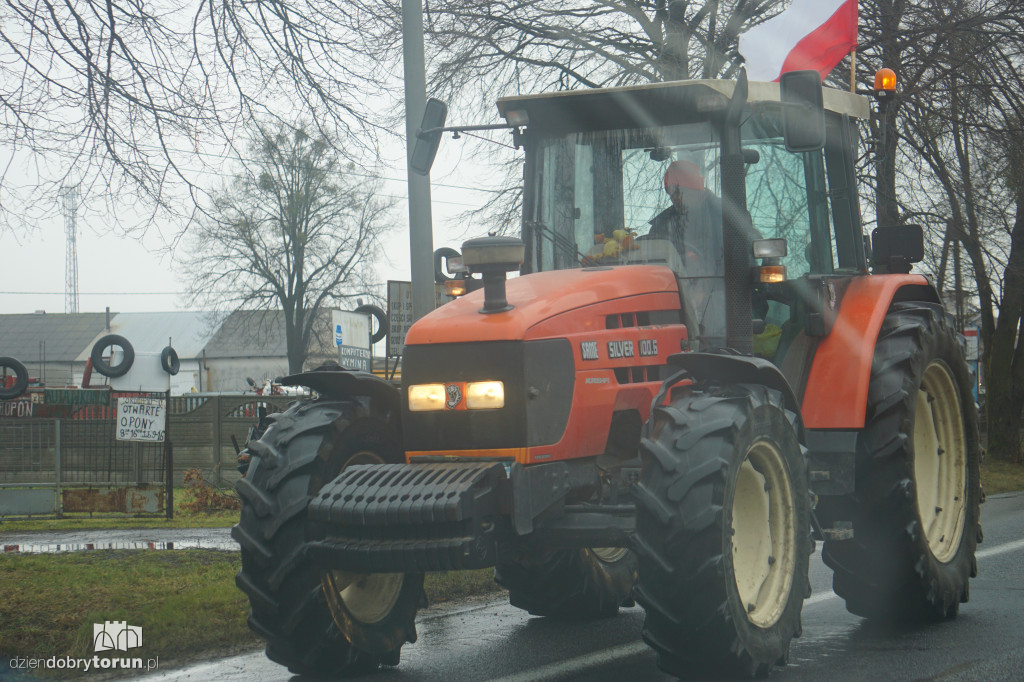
x=491 y=642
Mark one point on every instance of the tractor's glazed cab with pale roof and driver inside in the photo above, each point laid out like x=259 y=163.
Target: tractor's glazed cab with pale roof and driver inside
x=606 y=169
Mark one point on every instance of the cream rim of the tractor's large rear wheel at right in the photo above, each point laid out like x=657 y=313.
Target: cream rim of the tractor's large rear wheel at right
x=941 y=461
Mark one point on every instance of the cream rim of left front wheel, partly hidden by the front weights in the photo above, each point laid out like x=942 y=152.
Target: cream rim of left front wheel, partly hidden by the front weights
x=366 y=598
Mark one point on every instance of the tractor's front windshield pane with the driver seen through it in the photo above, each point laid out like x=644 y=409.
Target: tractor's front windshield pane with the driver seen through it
x=599 y=195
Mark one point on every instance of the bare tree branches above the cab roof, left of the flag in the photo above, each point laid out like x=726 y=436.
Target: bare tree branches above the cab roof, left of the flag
x=481 y=51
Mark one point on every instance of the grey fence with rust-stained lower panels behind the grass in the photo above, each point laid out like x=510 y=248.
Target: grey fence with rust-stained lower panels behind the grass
x=74 y=464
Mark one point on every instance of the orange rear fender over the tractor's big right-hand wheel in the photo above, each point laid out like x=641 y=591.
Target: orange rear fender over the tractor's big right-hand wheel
x=836 y=396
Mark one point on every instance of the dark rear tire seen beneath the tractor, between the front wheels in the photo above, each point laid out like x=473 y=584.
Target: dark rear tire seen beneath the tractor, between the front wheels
x=571 y=584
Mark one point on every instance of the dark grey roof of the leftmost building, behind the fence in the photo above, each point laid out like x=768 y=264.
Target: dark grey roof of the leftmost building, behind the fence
x=65 y=335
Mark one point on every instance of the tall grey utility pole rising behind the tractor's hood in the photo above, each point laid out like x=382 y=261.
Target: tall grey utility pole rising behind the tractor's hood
x=421 y=241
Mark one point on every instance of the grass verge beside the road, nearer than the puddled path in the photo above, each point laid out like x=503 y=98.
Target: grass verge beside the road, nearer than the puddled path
x=186 y=602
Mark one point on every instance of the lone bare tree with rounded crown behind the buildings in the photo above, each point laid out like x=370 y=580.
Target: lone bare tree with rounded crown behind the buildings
x=296 y=231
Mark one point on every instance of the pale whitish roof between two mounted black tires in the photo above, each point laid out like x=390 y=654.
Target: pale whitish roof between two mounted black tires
x=188 y=332
